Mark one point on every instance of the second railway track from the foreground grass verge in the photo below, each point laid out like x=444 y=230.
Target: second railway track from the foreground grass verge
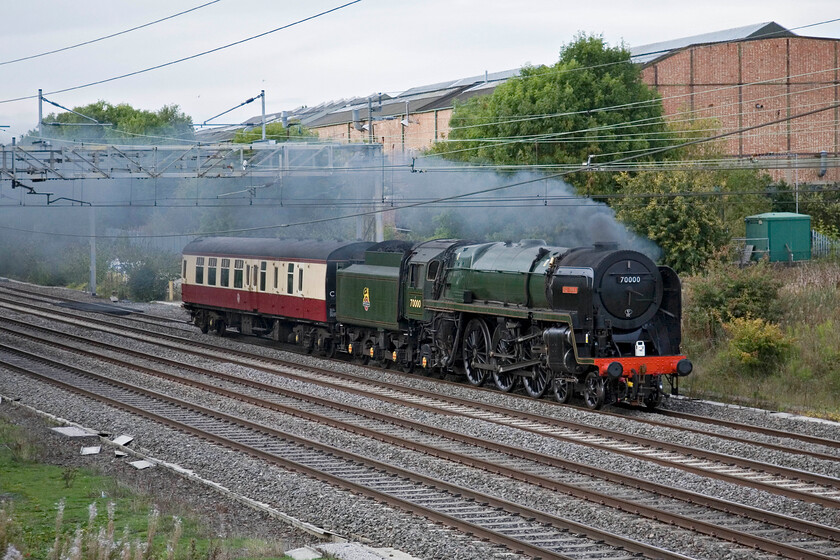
x=708 y=516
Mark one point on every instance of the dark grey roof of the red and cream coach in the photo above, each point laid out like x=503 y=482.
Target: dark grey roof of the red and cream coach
x=299 y=249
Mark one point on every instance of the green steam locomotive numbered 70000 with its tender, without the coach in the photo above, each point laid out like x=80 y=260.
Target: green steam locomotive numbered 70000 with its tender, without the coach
x=596 y=321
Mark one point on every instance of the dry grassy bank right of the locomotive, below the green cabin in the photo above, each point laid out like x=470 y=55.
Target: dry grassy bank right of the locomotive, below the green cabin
x=808 y=379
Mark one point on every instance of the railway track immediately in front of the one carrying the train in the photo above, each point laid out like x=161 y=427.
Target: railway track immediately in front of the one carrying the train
x=810 y=487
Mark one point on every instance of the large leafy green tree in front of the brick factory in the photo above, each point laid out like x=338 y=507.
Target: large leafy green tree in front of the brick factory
x=591 y=102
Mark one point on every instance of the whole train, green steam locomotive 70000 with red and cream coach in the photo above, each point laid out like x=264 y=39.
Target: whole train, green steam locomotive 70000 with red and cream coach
x=597 y=321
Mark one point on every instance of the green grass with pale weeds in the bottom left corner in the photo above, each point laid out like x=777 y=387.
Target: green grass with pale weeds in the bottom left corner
x=52 y=512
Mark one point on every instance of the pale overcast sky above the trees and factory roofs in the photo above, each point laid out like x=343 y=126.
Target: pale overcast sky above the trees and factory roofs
x=370 y=46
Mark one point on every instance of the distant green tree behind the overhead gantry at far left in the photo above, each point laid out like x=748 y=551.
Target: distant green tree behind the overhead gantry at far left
x=119 y=123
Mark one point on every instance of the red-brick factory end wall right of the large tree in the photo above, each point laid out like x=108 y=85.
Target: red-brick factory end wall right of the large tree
x=750 y=76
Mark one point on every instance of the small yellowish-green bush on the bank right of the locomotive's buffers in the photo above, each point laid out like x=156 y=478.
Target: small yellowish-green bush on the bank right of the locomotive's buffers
x=756 y=345
